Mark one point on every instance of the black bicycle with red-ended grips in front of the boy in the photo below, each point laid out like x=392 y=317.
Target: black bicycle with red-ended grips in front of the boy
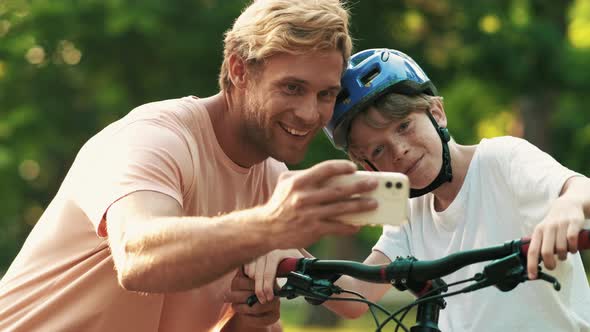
x=314 y=279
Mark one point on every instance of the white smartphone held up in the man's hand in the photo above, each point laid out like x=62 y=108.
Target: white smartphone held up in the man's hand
x=392 y=195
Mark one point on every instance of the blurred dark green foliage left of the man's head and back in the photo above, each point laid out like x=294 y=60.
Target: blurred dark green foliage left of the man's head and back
x=69 y=68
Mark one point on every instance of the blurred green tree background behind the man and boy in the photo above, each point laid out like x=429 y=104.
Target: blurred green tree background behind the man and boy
x=68 y=68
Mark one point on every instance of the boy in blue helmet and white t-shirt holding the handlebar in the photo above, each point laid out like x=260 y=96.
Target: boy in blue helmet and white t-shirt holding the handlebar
x=388 y=117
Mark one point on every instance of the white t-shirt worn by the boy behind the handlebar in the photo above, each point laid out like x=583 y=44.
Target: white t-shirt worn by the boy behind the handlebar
x=507 y=191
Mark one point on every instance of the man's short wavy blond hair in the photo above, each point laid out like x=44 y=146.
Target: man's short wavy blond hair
x=269 y=27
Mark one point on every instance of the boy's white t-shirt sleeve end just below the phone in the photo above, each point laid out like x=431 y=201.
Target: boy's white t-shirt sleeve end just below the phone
x=394 y=241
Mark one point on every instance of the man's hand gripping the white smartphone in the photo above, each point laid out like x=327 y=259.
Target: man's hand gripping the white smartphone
x=303 y=208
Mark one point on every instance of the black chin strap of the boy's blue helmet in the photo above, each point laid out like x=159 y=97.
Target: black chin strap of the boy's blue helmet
x=446 y=172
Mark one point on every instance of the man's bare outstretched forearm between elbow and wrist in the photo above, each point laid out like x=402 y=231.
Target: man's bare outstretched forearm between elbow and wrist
x=167 y=254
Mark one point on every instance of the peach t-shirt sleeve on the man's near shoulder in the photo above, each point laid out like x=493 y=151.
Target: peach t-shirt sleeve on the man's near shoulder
x=141 y=156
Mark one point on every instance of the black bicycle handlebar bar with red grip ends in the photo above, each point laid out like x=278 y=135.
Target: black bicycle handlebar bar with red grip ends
x=417 y=271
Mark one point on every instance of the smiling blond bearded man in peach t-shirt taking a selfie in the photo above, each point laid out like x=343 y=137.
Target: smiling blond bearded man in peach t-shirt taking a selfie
x=161 y=207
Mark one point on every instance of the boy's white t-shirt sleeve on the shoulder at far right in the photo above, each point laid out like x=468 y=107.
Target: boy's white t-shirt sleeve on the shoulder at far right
x=535 y=178
